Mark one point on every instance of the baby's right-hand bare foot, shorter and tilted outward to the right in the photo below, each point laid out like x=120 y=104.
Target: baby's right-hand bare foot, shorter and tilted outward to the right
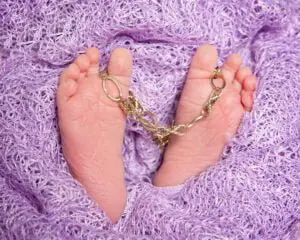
x=202 y=145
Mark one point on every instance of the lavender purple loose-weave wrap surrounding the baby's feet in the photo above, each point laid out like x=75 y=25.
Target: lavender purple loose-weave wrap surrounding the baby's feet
x=253 y=193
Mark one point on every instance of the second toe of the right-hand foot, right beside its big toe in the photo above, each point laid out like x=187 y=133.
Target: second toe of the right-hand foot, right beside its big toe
x=231 y=66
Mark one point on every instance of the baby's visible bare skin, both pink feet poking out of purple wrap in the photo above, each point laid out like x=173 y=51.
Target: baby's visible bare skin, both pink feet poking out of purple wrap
x=92 y=126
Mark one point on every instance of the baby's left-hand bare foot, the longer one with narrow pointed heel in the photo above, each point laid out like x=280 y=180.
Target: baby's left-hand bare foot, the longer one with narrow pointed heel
x=92 y=128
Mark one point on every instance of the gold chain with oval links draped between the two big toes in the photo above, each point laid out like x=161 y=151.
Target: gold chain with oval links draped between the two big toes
x=161 y=135
